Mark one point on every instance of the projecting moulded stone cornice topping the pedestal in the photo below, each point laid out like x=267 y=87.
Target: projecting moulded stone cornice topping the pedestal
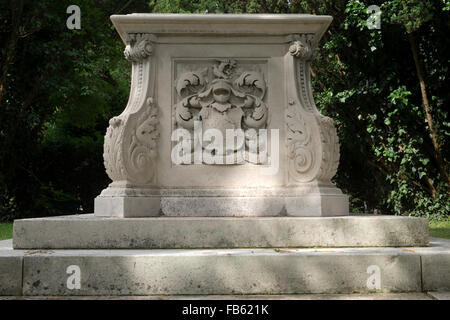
x=221 y=24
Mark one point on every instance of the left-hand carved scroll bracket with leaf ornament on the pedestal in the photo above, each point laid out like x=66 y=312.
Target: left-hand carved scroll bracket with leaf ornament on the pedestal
x=130 y=147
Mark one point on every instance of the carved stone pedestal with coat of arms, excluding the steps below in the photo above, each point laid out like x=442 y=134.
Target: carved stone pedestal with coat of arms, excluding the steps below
x=242 y=81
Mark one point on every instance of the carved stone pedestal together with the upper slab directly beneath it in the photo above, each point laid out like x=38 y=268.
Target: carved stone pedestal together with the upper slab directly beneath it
x=220 y=145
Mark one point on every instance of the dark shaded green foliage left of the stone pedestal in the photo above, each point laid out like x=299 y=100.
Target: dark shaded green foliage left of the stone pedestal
x=58 y=89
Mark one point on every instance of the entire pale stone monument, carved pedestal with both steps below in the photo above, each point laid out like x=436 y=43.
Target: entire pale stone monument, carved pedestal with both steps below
x=219 y=148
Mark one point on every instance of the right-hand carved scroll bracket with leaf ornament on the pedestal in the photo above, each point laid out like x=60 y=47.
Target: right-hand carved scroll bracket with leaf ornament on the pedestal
x=309 y=158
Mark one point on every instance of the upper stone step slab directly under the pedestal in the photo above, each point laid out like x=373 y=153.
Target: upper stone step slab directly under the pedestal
x=89 y=231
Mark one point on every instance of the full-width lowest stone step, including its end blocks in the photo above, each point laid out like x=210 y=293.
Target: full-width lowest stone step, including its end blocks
x=225 y=271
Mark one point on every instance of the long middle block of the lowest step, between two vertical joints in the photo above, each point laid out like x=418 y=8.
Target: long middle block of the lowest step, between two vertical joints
x=238 y=271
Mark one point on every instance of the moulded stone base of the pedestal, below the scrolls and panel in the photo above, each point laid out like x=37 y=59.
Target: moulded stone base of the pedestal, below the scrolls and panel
x=310 y=200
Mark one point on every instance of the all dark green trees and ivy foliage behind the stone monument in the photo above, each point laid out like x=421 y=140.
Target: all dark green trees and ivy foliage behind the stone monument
x=386 y=89
